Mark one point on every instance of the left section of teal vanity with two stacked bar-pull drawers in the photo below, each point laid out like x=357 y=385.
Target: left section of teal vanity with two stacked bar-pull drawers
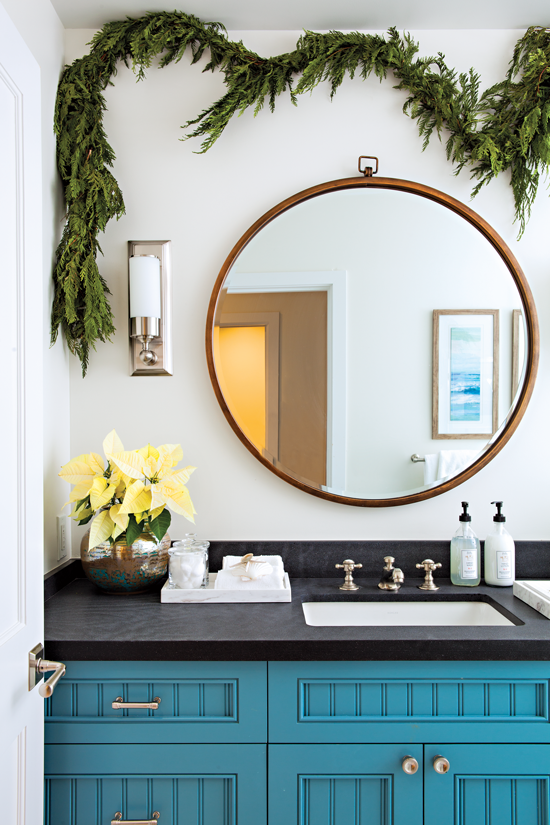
x=198 y=758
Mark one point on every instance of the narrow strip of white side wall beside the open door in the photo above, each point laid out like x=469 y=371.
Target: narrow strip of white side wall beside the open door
x=43 y=33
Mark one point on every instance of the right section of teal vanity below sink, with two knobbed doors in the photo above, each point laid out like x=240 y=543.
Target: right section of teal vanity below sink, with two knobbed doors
x=339 y=733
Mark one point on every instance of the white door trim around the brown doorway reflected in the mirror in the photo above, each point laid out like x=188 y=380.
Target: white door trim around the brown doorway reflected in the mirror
x=334 y=283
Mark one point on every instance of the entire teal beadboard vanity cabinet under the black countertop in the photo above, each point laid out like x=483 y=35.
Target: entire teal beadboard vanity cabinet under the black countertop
x=329 y=739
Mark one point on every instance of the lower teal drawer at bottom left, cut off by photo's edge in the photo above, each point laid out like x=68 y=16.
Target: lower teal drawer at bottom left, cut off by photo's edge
x=185 y=784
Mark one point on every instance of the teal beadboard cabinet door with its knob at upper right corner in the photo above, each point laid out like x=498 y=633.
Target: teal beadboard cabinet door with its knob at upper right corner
x=343 y=785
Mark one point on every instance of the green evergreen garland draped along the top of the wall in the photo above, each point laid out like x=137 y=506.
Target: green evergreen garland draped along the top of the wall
x=506 y=127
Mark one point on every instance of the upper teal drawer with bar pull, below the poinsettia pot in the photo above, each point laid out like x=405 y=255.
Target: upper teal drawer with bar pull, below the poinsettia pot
x=199 y=702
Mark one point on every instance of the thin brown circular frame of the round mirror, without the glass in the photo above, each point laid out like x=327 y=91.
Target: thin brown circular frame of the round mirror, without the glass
x=531 y=324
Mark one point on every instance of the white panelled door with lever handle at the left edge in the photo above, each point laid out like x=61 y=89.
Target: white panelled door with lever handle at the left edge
x=21 y=553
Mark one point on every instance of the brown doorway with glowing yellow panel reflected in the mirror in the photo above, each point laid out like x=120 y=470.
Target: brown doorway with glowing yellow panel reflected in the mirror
x=281 y=338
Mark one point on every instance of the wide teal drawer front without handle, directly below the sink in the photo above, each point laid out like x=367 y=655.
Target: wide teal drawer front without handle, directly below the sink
x=315 y=702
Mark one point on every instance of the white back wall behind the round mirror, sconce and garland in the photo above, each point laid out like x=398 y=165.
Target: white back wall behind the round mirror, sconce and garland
x=204 y=203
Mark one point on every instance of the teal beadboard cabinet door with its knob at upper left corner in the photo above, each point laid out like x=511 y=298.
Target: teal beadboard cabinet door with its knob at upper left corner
x=504 y=784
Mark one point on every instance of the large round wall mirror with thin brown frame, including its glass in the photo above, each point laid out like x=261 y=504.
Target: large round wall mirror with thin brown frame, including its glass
x=372 y=341
